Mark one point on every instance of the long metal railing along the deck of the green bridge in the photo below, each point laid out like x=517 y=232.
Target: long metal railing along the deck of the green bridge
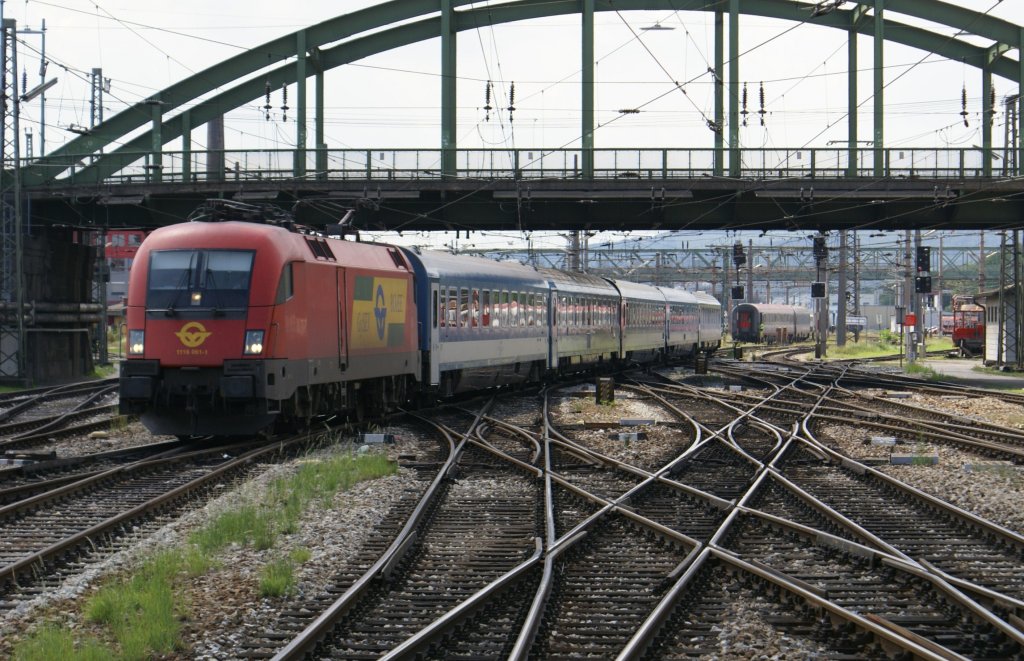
x=254 y=166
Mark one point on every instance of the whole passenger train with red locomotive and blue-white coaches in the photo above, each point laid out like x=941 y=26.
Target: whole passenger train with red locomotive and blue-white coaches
x=236 y=326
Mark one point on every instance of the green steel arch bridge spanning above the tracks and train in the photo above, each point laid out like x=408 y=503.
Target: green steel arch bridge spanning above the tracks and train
x=121 y=172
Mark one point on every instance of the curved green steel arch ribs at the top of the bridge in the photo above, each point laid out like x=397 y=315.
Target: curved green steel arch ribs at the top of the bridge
x=404 y=13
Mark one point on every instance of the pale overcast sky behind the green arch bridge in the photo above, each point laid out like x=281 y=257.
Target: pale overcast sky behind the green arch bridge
x=393 y=100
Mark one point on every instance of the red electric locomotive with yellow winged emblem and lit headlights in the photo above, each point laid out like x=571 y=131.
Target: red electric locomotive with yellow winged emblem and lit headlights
x=232 y=325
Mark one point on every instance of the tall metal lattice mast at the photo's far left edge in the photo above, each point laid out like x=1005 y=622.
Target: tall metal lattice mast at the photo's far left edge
x=12 y=291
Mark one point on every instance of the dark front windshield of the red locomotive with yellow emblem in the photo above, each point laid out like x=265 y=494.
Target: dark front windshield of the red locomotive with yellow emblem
x=207 y=281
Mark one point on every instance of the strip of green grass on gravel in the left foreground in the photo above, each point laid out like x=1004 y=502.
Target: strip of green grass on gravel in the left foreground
x=140 y=616
